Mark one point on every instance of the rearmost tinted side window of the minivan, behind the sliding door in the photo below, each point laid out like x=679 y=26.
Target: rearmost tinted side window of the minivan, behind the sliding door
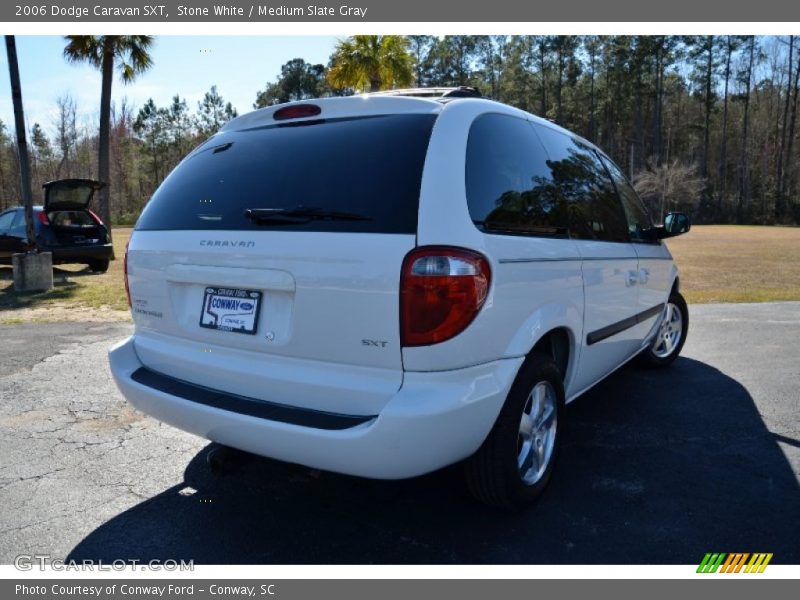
x=509 y=185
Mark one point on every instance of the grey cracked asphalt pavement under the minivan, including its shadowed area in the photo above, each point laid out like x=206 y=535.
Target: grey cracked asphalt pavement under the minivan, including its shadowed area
x=656 y=467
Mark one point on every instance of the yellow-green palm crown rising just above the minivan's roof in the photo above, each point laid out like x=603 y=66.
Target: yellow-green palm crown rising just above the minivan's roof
x=378 y=62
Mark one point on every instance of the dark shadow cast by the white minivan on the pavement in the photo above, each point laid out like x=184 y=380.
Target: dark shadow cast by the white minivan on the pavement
x=656 y=467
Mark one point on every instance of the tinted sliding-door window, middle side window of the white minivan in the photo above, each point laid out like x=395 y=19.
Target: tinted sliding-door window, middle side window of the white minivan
x=594 y=208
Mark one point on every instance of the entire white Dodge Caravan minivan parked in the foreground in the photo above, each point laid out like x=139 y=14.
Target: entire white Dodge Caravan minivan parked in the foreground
x=384 y=285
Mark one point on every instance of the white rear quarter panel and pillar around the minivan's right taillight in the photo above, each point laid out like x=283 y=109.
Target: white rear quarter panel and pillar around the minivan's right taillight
x=536 y=282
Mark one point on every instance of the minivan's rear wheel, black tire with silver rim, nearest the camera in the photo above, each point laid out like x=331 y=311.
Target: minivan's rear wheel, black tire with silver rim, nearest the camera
x=513 y=466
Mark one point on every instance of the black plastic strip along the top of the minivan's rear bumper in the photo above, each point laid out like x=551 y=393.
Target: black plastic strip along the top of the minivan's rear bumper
x=262 y=409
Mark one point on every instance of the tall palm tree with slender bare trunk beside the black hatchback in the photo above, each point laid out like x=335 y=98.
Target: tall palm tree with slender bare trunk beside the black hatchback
x=130 y=54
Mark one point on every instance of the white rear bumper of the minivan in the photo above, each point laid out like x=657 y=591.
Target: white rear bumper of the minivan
x=434 y=420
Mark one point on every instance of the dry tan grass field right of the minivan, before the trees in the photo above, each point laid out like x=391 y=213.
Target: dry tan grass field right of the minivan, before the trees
x=737 y=263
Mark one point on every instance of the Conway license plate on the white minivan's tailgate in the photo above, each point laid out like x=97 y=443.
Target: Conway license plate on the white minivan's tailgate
x=229 y=309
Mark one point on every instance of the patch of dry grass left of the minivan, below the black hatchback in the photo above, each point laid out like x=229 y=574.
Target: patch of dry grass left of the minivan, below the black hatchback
x=75 y=286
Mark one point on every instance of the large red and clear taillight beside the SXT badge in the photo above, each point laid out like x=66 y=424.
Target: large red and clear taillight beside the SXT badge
x=442 y=289
